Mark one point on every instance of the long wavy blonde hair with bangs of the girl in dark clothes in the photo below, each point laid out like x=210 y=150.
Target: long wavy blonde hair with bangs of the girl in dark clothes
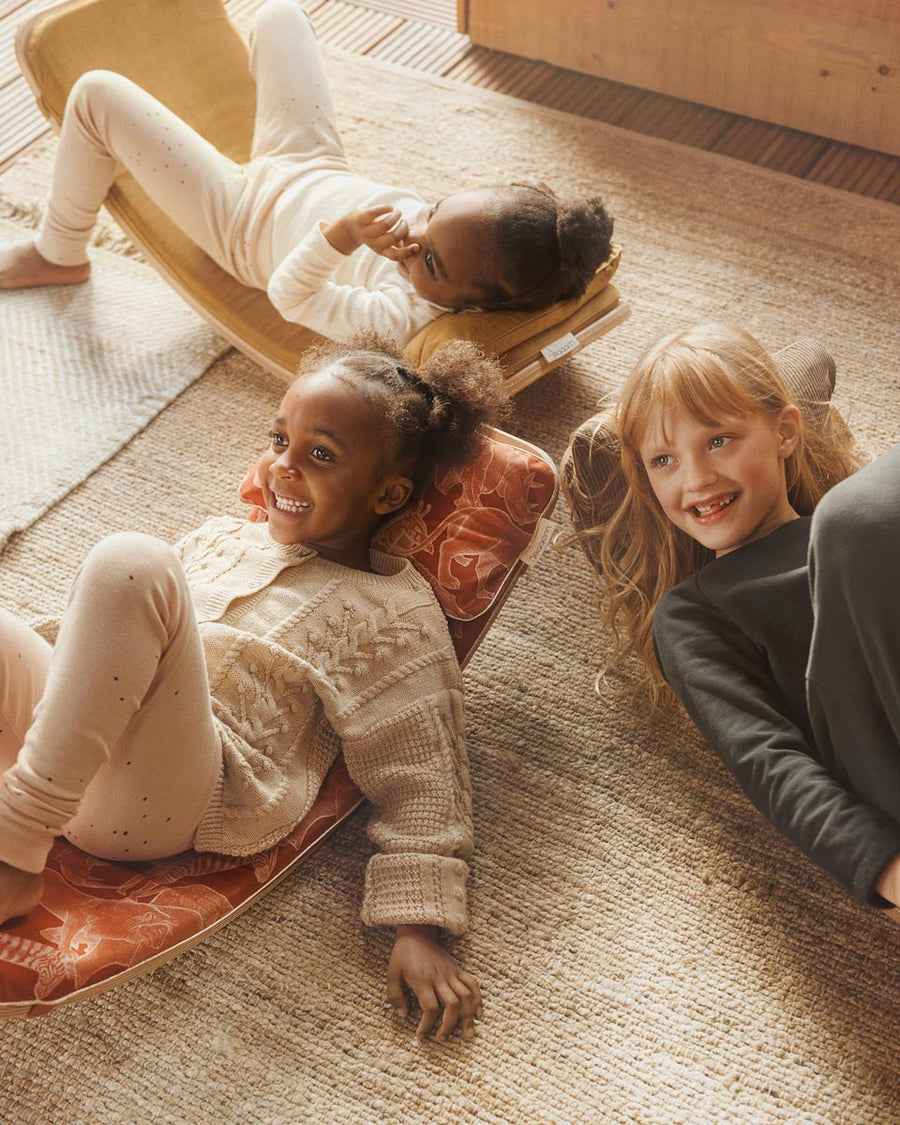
x=714 y=373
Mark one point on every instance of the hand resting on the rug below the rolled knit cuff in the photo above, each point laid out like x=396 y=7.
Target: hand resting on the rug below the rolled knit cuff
x=420 y=962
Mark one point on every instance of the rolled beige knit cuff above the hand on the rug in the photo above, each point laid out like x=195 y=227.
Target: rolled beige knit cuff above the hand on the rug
x=426 y=890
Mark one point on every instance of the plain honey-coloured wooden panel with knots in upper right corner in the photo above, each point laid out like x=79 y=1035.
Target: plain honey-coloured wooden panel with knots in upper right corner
x=826 y=67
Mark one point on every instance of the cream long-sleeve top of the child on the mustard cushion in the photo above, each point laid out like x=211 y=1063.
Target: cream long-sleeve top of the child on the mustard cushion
x=335 y=294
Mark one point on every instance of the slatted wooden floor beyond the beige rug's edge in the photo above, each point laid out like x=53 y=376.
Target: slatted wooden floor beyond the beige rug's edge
x=421 y=34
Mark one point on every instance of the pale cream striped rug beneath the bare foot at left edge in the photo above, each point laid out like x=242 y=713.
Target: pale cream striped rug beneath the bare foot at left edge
x=83 y=370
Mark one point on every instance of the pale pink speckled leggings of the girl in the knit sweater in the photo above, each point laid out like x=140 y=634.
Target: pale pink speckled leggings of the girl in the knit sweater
x=123 y=753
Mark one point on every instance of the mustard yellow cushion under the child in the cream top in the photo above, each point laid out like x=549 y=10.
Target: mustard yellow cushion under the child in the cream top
x=193 y=59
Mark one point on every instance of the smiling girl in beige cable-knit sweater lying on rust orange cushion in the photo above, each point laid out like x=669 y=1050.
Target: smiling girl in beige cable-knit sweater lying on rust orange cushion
x=195 y=692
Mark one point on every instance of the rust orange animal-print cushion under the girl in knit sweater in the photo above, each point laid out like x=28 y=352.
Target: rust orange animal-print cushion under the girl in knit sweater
x=102 y=924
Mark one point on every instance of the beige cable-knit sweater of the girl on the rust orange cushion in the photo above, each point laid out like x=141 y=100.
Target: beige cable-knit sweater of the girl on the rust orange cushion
x=298 y=646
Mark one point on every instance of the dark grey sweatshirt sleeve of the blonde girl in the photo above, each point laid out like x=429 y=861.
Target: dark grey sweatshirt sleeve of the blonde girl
x=724 y=682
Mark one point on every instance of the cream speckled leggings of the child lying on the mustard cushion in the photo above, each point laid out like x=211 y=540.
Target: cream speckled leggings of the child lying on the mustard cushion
x=227 y=209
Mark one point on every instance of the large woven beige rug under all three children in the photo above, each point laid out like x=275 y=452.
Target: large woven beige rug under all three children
x=651 y=952
